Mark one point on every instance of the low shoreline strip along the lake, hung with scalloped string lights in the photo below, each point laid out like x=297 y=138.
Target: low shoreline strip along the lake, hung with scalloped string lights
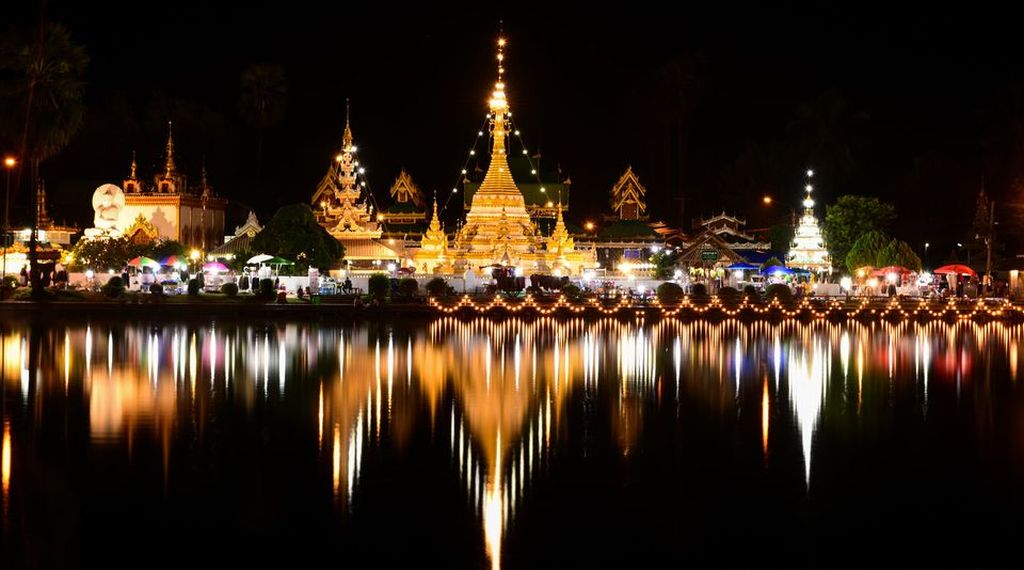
x=863 y=311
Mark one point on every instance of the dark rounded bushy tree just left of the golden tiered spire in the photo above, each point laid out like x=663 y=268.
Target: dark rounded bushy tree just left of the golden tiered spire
x=294 y=234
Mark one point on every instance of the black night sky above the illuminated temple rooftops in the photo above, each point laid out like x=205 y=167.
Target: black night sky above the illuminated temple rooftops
x=924 y=103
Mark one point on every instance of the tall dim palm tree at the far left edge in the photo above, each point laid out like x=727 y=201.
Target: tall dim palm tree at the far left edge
x=41 y=79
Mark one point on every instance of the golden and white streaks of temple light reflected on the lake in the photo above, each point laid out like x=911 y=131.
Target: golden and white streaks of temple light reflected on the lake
x=499 y=393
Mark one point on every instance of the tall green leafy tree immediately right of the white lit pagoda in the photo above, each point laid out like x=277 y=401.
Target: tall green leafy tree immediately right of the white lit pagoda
x=851 y=217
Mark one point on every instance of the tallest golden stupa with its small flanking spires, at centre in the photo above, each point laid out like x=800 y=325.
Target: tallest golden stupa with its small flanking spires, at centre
x=499 y=231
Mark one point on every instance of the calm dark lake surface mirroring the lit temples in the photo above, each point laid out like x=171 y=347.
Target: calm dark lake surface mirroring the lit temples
x=470 y=445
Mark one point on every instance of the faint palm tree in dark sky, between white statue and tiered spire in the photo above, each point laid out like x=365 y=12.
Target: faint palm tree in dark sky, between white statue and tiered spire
x=264 y=101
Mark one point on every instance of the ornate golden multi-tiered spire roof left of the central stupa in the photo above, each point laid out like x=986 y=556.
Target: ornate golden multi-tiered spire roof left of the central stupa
x=338 y=202
